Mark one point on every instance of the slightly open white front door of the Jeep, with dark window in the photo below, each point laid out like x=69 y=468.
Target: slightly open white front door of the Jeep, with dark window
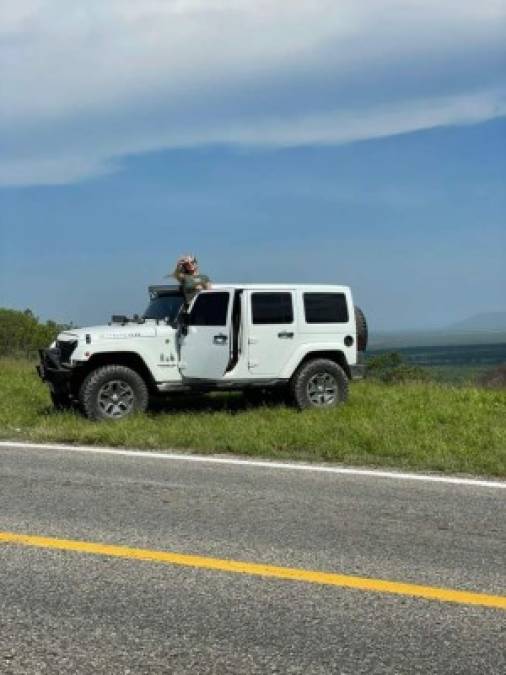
x=205 y=349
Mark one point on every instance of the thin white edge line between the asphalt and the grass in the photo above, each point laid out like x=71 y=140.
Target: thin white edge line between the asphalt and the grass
x=317 y=468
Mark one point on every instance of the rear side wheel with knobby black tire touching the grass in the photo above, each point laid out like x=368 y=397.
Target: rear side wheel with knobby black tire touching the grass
x=309 y=373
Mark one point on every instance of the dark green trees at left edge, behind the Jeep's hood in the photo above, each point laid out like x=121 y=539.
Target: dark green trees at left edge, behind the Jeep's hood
x=22 y=333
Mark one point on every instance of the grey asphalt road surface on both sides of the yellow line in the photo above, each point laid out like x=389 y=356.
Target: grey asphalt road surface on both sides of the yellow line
x=72 y=612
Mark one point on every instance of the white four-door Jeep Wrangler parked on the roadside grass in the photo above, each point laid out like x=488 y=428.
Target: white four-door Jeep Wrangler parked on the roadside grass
x=306 y=339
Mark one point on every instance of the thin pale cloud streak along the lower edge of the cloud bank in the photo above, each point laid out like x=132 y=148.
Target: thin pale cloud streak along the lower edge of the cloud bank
x=103 y=155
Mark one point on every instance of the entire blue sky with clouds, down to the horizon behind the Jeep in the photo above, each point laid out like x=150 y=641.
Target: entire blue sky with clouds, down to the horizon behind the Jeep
x=279 y=141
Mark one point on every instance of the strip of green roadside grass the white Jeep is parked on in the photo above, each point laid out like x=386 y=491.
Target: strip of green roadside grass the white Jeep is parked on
x=425 y=426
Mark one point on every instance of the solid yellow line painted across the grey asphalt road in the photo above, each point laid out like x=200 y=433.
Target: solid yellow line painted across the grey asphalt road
x=271 y=571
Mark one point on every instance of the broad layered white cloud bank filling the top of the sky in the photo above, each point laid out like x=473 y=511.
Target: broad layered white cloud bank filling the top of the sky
x=87 y=83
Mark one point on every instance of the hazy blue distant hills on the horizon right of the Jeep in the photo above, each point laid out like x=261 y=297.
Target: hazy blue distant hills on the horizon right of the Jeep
x=485 y=328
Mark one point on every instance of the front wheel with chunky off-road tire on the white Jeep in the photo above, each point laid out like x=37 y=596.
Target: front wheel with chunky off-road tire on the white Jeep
x=91 y=392
